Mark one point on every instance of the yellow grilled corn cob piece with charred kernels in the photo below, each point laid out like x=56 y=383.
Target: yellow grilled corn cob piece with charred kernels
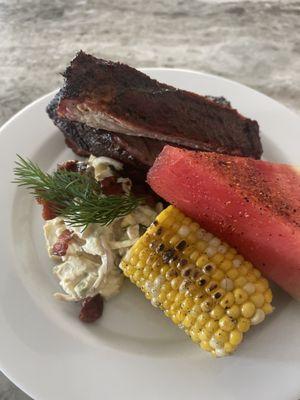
x=200 y=283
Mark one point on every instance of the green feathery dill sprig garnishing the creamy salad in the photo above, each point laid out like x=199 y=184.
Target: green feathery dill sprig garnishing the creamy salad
x=76 y=197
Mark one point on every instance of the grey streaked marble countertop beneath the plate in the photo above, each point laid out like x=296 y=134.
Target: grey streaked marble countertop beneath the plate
x=254 y=42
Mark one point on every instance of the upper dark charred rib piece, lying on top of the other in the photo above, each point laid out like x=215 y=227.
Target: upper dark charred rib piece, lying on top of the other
x=121 y=100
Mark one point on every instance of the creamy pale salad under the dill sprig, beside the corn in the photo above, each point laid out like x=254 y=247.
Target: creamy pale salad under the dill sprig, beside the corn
x=90 y=264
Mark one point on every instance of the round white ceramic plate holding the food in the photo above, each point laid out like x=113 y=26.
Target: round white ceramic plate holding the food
x=133 y=352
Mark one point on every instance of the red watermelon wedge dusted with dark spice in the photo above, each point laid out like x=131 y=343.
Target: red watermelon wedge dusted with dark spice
x=253 y=205
